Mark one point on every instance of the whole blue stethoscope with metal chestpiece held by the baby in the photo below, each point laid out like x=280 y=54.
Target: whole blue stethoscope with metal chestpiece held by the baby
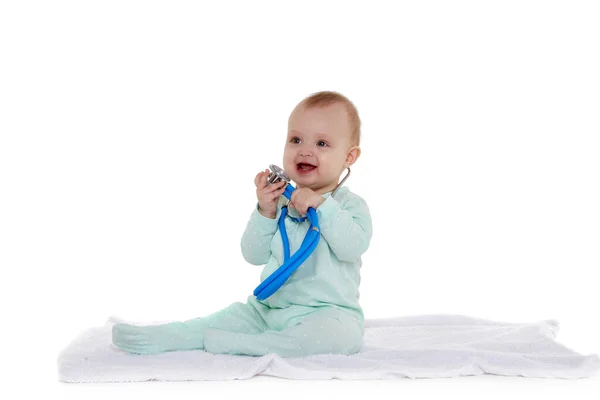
x=310 y=242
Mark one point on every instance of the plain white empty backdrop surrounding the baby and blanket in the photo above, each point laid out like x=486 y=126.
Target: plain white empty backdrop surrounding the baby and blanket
x=131 y=133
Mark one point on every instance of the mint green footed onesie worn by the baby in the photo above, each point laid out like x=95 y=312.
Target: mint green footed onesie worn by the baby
x=316 y=311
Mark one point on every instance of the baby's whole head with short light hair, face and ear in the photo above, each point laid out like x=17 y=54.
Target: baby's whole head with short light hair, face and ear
x=324 y=132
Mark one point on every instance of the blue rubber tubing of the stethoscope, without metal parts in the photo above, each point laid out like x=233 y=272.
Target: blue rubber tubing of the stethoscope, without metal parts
x=290 y=264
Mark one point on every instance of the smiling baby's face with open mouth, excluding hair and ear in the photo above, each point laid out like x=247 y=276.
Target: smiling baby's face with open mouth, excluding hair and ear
x=319 y=137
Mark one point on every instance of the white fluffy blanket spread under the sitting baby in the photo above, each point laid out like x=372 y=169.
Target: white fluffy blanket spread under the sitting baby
x=426 y=346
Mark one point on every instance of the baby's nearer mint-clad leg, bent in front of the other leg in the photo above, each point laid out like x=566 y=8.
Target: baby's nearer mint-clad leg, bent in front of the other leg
x=318 y=333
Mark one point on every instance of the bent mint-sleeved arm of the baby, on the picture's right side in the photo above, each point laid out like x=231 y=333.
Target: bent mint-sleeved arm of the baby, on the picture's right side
x=346 y=226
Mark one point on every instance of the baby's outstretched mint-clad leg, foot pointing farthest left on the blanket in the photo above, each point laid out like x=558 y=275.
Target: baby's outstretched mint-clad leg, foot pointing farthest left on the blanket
x=185 y=335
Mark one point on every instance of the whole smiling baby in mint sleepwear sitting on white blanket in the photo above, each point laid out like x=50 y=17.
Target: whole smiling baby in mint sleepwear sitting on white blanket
x=316 y=311
